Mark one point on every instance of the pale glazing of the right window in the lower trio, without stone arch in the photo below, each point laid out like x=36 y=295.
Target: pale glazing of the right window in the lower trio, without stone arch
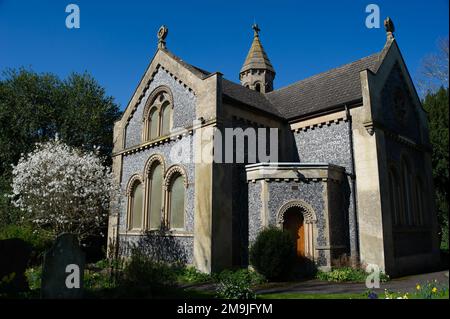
x=176 y=193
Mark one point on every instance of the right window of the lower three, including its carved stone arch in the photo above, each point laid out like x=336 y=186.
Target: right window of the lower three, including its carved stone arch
x=175 y=189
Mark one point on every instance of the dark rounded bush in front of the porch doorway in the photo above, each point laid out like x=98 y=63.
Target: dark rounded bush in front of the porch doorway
x=273 y=253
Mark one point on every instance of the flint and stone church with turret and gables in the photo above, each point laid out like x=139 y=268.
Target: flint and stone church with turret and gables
x=352 y=178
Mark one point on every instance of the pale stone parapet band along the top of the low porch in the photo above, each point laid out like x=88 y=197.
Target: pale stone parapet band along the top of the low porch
x=297 y=172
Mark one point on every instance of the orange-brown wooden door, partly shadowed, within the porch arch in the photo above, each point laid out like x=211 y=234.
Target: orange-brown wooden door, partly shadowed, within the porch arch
x=293 y=224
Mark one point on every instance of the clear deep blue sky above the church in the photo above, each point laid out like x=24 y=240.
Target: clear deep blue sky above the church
x=117 y=40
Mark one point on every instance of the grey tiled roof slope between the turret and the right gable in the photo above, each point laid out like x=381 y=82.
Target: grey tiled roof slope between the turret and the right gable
x=323 y=91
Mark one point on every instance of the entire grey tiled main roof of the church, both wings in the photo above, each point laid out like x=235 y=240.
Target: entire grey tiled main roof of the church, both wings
x=322 y=92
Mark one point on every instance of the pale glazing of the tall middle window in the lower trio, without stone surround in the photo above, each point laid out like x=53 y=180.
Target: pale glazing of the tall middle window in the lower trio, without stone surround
x=155 y=196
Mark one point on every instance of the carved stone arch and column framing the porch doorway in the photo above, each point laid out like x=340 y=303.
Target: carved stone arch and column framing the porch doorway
x=309 y=221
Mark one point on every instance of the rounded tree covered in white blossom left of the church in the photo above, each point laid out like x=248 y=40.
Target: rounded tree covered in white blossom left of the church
x=64 y=189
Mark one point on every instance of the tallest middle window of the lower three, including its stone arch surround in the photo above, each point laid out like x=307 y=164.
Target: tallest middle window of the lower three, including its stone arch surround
x=154 y=173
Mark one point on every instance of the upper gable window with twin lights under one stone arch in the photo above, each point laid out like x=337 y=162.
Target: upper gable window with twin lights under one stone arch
x=158 y=114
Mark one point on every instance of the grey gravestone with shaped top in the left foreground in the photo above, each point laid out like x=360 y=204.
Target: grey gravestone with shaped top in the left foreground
x=63 y=269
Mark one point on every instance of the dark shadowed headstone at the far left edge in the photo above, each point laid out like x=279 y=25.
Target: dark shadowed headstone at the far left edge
x=14 y=257
